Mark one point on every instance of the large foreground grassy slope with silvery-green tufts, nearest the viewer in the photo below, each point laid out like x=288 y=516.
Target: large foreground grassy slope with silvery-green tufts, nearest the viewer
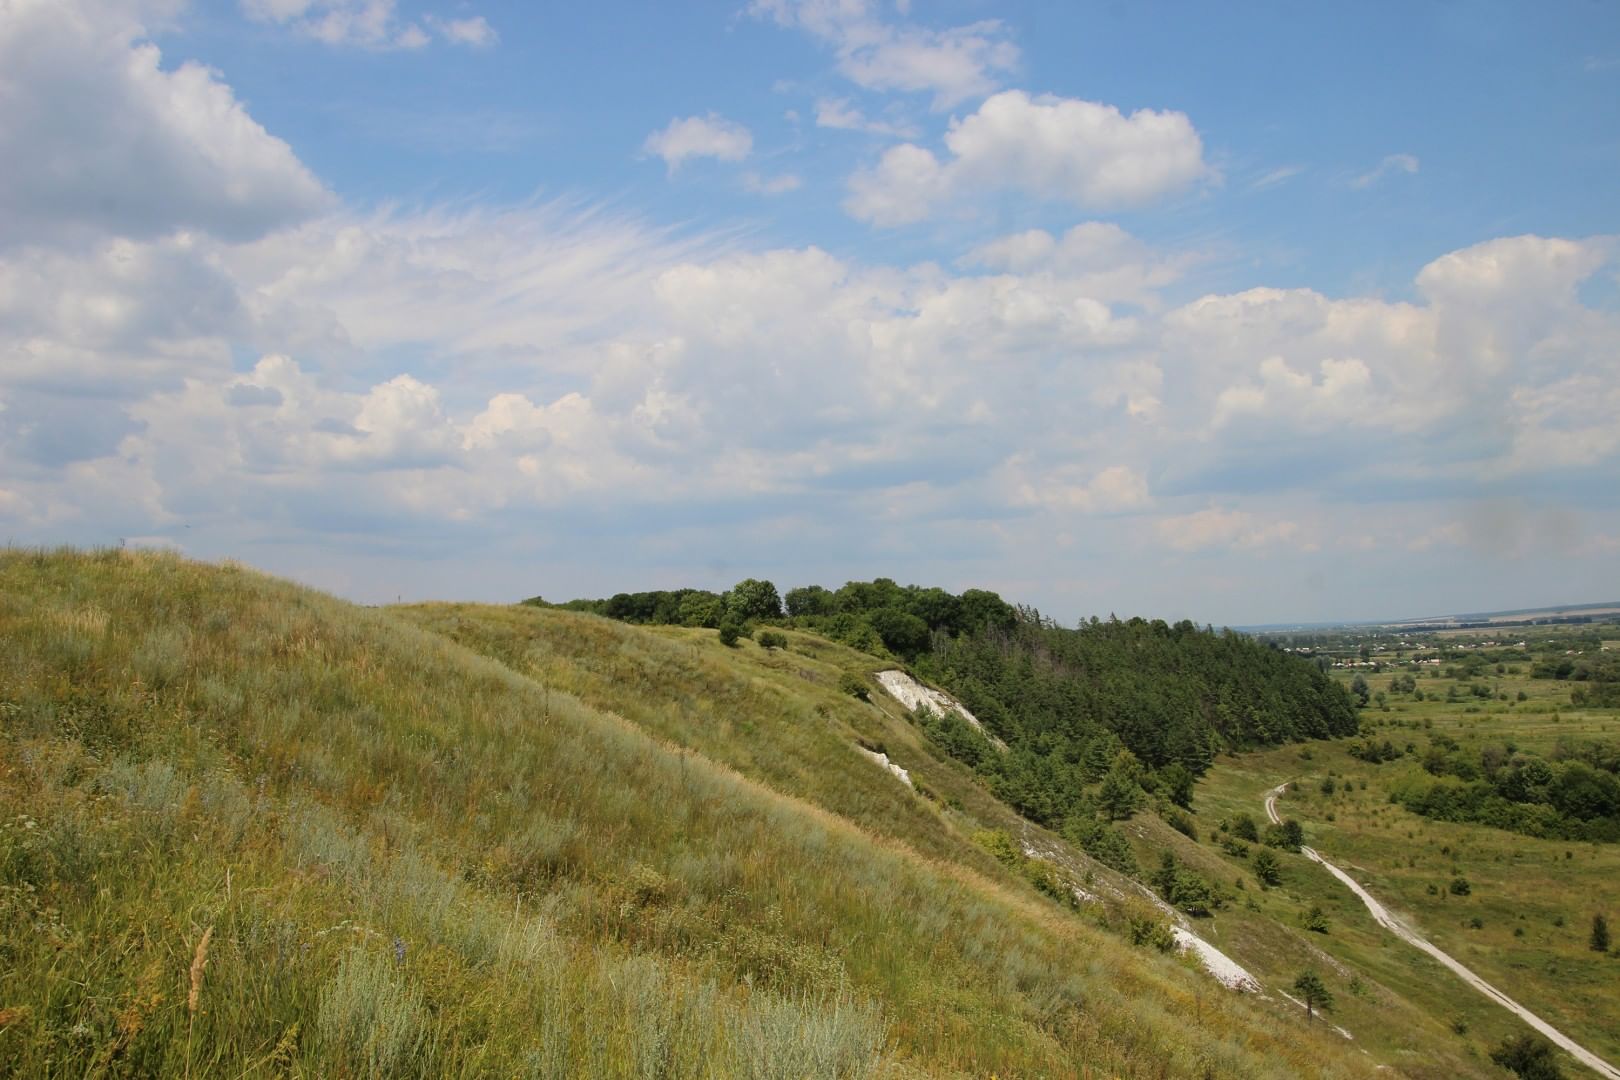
x=407 y=859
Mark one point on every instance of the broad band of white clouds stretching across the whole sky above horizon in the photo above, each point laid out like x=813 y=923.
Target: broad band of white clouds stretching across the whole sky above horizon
x=597 y=362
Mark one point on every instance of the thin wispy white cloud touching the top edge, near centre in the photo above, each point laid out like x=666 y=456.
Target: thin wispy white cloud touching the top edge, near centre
x=953 y=64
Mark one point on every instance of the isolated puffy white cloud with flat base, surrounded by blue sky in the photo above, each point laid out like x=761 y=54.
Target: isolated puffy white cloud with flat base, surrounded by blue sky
x=1052 y=148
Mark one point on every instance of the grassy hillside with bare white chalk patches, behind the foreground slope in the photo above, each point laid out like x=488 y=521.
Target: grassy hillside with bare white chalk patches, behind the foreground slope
x=778 y=716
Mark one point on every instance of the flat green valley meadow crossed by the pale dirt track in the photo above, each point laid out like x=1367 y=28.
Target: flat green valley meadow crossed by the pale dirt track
x=1533 y=898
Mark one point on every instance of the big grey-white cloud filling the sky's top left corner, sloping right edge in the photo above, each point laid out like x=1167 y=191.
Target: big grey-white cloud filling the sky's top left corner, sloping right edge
x=98 y=138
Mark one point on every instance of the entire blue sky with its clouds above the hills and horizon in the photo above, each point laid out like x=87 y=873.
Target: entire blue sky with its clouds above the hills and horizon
x=1242 y=313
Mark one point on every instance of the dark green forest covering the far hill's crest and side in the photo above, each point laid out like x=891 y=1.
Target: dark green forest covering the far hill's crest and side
x=1093 y=720
